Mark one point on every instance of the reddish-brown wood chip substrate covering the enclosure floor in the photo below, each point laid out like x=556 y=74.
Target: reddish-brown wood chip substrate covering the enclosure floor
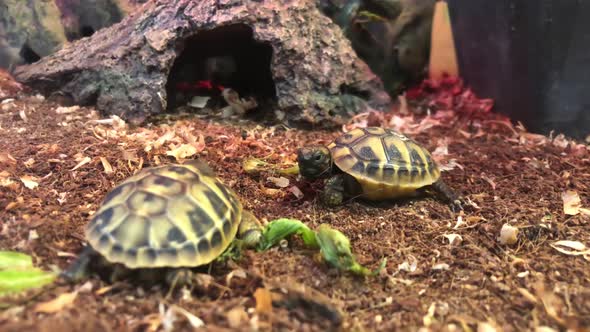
x=510 y=176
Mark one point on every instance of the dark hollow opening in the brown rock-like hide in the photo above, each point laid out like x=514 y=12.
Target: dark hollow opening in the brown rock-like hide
x=224 y=57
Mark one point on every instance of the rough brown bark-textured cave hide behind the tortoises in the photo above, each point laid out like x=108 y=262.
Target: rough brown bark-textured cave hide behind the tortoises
x=287 y=54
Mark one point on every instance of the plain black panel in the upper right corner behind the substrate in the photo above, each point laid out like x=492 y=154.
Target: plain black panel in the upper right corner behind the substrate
x=531 y=57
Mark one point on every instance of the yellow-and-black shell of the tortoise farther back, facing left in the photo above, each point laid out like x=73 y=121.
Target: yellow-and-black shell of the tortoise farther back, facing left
x=386 y=164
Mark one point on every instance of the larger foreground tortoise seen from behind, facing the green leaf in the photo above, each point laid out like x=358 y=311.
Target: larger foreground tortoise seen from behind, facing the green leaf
x=163 y=221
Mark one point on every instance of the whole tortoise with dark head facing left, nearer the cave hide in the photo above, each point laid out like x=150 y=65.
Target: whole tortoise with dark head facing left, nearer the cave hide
x=372 y=163
